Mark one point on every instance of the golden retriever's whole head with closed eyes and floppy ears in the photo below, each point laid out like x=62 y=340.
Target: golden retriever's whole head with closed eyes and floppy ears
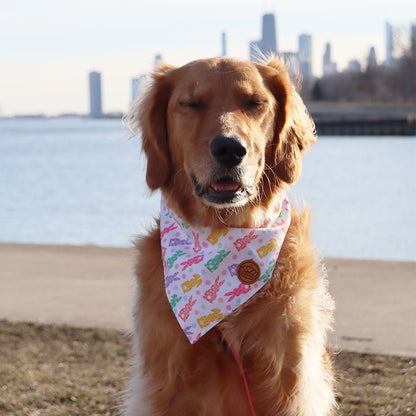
x=222 y=137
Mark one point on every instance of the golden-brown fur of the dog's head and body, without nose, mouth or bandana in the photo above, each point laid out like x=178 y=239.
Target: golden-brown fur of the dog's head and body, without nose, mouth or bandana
x=279 y=335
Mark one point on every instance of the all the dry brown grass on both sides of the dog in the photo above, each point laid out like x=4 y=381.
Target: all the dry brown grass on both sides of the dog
x=56 y=370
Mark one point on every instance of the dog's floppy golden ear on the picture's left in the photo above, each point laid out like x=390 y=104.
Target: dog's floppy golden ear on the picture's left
x=151 y=118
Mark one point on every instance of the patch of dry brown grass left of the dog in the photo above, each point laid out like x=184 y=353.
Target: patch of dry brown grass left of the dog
x=55 y=370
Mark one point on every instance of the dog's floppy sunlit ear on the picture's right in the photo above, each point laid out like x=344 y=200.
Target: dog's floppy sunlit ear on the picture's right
x=294 y=130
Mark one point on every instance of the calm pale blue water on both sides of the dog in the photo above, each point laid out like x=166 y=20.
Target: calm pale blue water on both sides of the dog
x=82 y=182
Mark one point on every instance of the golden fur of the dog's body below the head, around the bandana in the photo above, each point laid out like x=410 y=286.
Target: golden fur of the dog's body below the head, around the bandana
x=271 y=333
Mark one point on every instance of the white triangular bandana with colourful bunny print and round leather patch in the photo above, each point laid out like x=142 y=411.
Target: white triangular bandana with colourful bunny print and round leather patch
x=209 y=274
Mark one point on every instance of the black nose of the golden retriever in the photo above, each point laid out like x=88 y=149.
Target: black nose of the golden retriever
x=228 y=151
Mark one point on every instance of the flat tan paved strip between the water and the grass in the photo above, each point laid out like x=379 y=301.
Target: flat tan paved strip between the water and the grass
x=93 y=286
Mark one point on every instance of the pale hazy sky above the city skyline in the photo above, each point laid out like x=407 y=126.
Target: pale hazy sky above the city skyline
x=48 y=47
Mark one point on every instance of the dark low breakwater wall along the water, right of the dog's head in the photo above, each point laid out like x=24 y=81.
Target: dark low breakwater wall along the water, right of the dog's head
x=347 y=119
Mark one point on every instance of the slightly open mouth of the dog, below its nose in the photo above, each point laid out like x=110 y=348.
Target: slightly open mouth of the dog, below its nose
x=224 y=190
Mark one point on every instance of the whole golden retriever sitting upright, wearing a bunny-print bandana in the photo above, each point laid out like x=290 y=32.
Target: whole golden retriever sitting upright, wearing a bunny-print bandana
x=223 y=140
